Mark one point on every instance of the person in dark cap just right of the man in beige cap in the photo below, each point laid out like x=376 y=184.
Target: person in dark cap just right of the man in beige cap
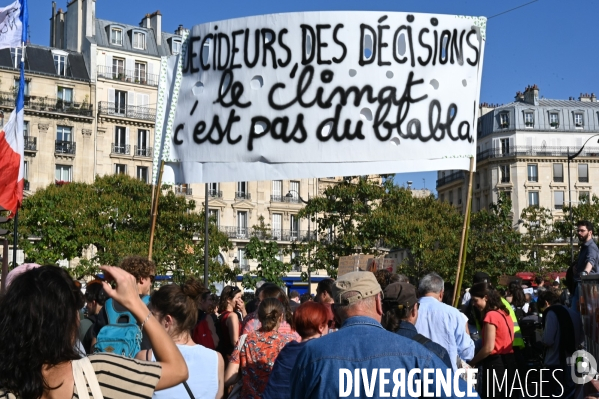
x=400 y=307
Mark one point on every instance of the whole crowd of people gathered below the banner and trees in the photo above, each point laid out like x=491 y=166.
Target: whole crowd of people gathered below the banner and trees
x=181 y=341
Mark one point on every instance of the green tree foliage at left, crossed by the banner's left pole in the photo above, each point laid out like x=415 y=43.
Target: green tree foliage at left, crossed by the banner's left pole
x=113 y=216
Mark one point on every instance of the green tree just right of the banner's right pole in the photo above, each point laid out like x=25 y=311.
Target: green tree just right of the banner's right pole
x=494 y=244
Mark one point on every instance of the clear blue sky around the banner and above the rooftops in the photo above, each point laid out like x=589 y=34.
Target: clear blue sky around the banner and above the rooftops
x=551 y=43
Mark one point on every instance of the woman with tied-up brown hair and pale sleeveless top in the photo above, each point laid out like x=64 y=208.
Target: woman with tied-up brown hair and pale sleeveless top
x=174 y=306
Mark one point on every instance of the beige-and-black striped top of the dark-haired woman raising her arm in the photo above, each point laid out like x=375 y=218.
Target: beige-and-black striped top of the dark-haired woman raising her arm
x=119 y=377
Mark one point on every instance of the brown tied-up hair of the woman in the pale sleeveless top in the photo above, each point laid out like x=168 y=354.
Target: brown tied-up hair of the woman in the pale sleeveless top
x=178 y=301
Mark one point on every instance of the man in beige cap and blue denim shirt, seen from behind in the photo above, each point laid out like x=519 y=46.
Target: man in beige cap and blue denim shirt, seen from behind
x=361 y=343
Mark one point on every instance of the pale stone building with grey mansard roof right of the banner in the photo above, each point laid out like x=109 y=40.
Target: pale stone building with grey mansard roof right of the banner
x=523 y=150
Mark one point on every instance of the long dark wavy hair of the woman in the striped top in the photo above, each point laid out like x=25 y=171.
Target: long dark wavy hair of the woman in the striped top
x=38 y=326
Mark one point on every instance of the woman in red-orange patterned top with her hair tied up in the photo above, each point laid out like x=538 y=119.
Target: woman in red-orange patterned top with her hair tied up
x=256 y=357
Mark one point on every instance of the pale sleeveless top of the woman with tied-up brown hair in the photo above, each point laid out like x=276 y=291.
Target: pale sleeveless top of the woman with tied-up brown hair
x=202 y=364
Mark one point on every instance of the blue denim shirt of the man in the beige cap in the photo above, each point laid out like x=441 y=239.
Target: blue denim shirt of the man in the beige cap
x=361 y=343
